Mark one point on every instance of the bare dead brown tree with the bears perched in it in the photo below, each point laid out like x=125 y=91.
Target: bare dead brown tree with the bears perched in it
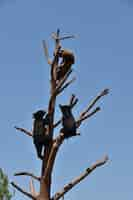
x=50 y=152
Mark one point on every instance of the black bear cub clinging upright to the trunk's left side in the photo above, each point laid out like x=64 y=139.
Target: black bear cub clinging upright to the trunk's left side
x=40 y=135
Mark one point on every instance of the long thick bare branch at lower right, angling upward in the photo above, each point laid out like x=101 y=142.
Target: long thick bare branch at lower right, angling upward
x=77 y=180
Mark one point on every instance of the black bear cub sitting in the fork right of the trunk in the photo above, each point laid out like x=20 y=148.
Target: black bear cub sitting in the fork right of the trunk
x=68 y=121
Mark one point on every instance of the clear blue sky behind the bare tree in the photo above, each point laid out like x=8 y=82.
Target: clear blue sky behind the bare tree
x=104 y=58
